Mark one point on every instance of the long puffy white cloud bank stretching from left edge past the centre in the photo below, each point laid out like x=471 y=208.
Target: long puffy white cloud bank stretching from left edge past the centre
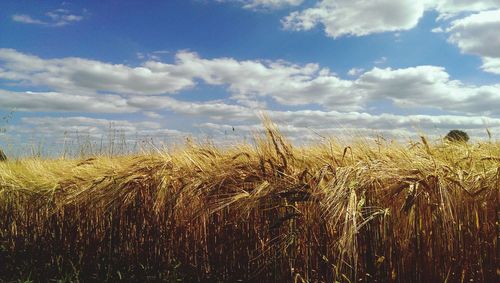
x=287 y=83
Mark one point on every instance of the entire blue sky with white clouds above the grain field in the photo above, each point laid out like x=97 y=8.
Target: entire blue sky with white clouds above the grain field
x=209 y=68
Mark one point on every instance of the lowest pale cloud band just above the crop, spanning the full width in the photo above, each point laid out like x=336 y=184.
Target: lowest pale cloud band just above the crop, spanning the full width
x=300 y=126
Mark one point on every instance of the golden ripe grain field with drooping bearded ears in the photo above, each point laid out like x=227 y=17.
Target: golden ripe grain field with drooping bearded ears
x=381 y=212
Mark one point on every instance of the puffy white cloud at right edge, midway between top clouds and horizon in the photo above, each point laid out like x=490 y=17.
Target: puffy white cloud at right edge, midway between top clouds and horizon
x=428 y=86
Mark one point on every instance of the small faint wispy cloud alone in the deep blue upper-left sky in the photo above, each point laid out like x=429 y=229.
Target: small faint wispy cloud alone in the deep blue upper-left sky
x=55 y=18
